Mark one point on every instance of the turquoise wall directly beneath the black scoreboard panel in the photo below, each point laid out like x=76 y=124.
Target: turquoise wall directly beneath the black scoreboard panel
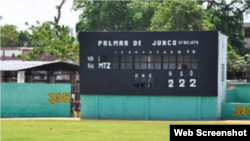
x=148 y=107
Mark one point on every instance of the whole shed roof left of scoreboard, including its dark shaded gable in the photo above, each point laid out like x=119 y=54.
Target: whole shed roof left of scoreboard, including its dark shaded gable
x=38 y=65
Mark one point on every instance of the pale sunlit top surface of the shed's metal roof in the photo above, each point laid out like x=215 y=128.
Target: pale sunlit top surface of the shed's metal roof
x=23 y=65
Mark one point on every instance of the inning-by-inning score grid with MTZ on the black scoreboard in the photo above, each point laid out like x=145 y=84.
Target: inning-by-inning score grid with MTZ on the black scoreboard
x=151 y=62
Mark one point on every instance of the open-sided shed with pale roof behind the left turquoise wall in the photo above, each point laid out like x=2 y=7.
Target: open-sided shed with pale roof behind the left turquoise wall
x=55 y=72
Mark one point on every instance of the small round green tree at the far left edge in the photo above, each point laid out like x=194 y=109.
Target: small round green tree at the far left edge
x=8 y=36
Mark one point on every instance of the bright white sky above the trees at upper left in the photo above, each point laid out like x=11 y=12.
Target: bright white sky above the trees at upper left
x=17 y=12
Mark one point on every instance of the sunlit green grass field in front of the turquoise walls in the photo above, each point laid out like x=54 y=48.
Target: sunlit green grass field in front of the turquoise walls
x=85 y=130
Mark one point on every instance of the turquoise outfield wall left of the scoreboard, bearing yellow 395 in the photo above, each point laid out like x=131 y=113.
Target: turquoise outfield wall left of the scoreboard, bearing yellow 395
x=31 y=100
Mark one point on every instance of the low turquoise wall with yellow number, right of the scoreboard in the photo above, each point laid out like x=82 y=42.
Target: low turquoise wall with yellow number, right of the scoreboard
x=235 y=111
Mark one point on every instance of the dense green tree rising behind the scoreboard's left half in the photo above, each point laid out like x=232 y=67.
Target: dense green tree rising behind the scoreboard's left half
x=115 y=15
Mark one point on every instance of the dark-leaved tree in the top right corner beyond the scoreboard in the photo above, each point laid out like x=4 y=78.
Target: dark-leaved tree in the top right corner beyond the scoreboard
x=227 y=16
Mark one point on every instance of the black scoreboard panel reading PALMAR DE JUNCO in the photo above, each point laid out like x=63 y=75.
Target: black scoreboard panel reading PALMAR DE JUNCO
x=149 y=63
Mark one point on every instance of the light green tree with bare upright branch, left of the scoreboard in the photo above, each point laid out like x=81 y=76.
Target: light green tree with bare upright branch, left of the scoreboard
x=52 y=38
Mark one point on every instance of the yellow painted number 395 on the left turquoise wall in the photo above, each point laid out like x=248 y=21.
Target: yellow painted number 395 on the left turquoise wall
x=59 y=98
